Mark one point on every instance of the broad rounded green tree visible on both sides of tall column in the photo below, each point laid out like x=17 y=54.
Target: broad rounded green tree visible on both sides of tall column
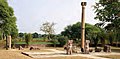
x=74 y=31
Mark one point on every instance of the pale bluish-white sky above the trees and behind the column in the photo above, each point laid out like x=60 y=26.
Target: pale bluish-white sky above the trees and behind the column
x=31 y=14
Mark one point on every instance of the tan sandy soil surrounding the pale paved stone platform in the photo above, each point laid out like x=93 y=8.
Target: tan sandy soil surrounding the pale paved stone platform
x=16 y=54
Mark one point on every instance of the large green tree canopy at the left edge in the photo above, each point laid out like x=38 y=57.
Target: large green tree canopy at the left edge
x=7 y=20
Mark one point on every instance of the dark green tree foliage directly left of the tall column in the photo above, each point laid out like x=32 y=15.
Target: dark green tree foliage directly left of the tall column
x=72 y=31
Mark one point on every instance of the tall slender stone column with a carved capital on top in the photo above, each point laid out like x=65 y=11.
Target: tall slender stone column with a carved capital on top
x=83 y=4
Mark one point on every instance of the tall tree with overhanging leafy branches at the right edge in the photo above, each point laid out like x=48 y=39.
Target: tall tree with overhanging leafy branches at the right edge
x=109 y=11
